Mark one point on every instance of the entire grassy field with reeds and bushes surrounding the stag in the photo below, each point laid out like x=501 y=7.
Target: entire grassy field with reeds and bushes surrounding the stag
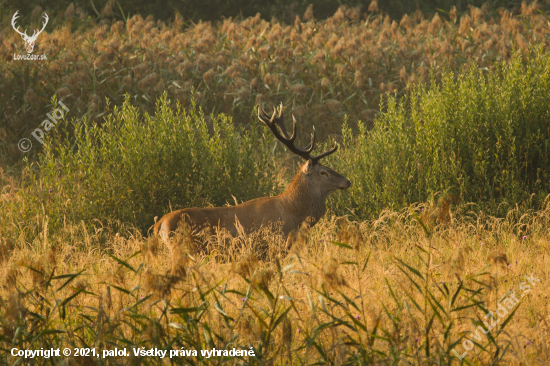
x=442 y=237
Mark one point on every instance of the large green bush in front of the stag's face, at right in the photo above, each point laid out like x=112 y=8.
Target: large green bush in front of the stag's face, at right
x=484 y=135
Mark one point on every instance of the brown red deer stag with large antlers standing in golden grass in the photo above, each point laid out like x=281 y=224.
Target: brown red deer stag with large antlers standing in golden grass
x=303 y=200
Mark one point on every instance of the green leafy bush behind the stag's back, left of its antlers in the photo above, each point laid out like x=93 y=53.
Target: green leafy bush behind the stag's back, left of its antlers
x=133 y=167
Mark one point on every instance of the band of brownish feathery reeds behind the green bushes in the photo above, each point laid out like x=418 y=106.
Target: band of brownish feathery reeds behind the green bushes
x=320 y=69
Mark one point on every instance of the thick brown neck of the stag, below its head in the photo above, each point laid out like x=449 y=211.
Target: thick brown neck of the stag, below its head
x=302 y=199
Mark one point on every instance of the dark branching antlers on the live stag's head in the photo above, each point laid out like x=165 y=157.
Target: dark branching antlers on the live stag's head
x=277 y=126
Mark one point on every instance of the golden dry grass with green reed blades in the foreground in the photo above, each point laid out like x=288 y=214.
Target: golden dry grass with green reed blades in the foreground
x=407 y=288
